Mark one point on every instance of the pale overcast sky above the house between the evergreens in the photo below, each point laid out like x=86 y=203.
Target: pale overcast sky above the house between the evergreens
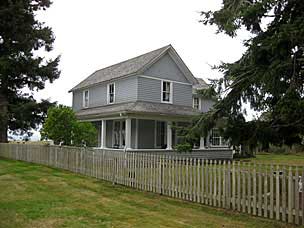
x=94 y=34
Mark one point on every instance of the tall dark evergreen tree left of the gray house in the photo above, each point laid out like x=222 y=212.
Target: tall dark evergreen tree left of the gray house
x=21 y=68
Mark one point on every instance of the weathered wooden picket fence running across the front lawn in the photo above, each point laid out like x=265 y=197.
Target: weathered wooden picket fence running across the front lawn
x=261 y=190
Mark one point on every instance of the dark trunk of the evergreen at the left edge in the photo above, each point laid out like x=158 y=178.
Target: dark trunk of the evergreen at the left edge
x=3 y=118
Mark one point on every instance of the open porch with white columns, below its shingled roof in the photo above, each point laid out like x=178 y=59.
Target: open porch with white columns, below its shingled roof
x=148 y=134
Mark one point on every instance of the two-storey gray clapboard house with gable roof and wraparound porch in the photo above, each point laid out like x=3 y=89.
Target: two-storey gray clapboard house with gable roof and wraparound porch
x=134 y=103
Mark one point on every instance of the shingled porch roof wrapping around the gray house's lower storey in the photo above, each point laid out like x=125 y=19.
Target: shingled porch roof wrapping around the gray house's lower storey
x=138 y=107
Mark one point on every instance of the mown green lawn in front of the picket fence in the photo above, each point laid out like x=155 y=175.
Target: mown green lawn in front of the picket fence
x=37 y=196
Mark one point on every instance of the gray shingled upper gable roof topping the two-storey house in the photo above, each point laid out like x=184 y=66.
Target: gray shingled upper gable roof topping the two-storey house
x=134 y=66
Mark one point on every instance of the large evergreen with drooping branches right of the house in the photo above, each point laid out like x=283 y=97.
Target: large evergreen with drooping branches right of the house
x=269 y=75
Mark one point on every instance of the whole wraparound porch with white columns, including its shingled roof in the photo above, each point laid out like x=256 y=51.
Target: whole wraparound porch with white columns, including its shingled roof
x=146 y=127
